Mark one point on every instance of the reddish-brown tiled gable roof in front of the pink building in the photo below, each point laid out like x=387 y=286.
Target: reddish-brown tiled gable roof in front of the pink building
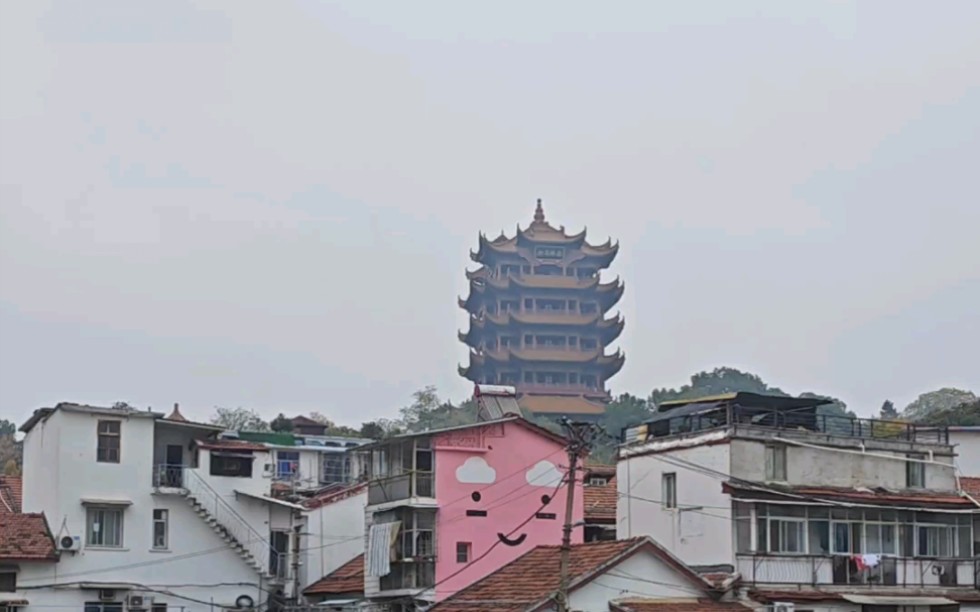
x=531 y=579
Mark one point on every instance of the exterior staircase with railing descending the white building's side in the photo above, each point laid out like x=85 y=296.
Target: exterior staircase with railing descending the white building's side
x=230 y=526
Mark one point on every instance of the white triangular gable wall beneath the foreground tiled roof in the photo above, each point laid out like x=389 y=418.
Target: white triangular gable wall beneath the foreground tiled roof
x=641 y=575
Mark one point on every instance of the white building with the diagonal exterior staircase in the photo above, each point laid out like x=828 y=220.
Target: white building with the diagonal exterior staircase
x=151 y=512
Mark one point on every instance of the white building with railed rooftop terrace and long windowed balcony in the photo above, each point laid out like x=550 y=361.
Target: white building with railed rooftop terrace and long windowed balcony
x=830 y=513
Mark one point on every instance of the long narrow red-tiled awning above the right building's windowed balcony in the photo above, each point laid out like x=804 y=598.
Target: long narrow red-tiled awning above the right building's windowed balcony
x=916 y=497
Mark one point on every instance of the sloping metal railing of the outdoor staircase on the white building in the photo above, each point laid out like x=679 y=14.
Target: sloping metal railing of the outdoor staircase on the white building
x=234 y=525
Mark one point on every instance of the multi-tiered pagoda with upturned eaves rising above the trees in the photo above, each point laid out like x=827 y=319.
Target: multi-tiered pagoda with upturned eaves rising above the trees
x=538 y=318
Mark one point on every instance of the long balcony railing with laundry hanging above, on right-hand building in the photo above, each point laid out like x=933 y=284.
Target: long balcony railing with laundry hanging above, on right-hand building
x=843 y=570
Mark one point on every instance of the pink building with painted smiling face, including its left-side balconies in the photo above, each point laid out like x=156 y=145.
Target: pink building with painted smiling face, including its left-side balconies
x=447 y=507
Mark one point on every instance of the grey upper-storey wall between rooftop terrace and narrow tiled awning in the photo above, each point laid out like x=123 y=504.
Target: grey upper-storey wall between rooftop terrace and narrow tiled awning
x=837 y=467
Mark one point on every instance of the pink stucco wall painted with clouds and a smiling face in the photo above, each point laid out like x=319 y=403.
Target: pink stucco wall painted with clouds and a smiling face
x=498 y=464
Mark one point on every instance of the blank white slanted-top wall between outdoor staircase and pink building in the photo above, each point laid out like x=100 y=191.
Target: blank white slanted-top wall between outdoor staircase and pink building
x=335 y=536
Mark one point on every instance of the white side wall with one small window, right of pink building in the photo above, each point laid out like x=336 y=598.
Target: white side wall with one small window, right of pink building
x=698 y=531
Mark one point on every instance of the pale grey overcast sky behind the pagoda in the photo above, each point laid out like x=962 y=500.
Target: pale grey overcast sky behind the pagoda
x=271 y=205
